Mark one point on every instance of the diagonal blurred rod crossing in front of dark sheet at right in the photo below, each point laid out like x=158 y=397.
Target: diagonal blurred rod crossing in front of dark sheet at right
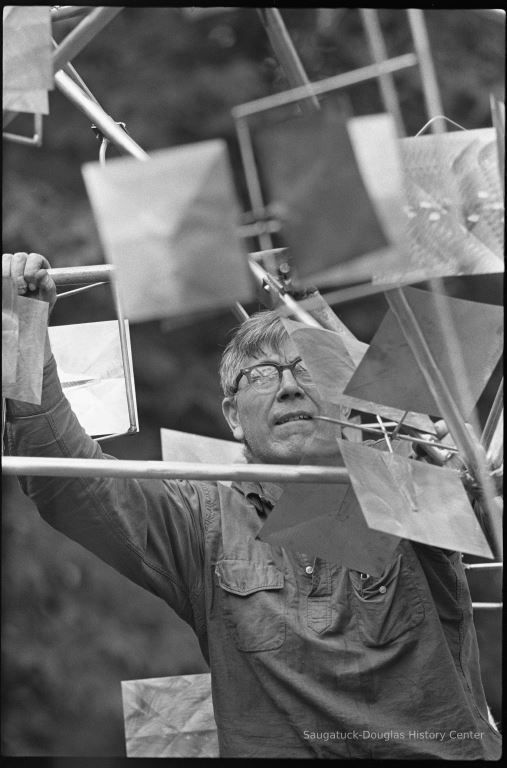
x=472 y=451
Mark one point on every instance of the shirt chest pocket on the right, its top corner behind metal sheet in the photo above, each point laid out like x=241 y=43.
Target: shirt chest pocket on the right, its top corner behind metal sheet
x=386 y=606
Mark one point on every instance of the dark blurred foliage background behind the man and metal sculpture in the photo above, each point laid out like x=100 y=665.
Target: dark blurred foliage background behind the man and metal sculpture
x=72 y=628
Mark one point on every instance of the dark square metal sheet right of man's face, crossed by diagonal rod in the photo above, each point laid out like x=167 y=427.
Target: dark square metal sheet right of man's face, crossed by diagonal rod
x=389 y=374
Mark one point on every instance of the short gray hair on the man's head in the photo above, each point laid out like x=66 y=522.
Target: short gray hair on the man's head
x=261 y=332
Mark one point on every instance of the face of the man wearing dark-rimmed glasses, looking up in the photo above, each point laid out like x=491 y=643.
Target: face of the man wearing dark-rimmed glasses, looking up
x=277 y=425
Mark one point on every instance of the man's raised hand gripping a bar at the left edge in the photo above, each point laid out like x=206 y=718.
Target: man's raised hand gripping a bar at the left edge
x=29 y=271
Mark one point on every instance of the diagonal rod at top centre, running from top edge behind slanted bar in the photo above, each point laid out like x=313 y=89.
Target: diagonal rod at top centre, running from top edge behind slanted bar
x=286 y=54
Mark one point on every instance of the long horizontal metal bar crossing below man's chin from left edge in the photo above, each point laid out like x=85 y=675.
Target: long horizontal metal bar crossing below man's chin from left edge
x=183 y=470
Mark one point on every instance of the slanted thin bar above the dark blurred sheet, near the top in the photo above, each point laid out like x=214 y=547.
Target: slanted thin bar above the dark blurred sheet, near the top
x=322 y=86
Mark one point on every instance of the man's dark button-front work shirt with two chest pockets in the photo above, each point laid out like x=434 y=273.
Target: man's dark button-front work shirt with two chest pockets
x=307 y=658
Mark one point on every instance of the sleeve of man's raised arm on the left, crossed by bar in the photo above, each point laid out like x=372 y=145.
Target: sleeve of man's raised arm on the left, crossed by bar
x=149 y=530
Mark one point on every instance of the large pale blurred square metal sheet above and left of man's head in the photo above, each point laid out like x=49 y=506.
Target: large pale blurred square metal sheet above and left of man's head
x=170 y=227
